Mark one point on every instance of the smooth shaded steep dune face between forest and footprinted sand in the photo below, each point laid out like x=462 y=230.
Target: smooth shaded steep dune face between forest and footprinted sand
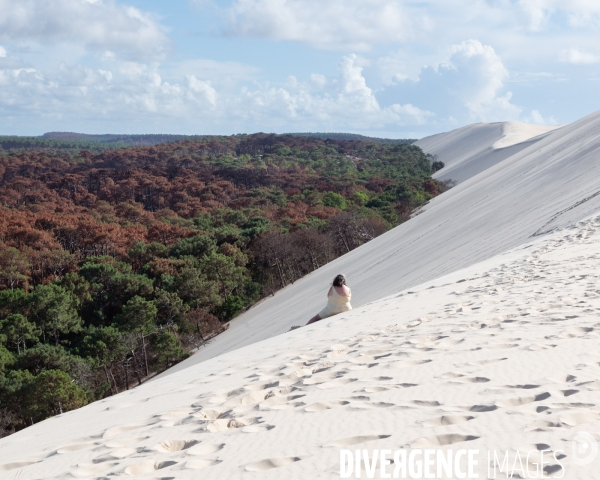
x=549 y=184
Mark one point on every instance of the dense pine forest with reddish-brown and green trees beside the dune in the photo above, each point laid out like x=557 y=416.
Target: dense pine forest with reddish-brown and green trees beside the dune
x=116 y=263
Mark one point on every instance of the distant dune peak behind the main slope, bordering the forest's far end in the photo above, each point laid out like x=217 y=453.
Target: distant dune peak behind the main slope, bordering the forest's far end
x=470 y=150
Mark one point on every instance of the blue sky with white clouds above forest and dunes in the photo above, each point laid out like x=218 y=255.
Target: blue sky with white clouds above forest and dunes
x=386 y=68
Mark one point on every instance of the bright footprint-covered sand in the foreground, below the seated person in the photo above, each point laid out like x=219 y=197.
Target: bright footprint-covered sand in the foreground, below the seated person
x=502 y=355
